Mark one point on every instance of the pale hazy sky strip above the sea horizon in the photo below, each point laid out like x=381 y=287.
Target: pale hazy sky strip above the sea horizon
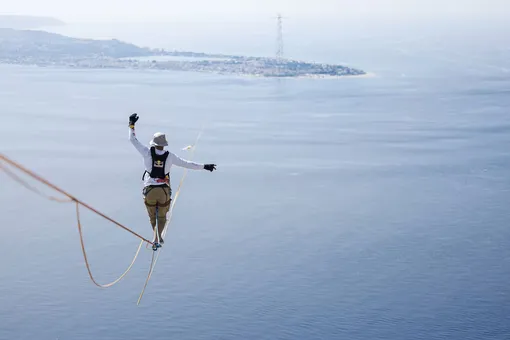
x=239 y=10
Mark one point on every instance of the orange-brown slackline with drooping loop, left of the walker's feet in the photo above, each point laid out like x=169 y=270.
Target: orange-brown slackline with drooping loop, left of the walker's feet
x=69 y=199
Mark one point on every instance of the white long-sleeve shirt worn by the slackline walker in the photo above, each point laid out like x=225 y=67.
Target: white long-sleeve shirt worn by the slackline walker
x=172 y=159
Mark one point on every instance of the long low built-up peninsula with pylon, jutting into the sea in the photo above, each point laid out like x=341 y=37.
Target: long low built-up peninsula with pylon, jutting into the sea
x=33 y=47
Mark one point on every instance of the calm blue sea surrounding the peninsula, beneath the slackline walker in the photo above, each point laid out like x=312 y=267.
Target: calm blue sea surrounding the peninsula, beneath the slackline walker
x=357 y=208
